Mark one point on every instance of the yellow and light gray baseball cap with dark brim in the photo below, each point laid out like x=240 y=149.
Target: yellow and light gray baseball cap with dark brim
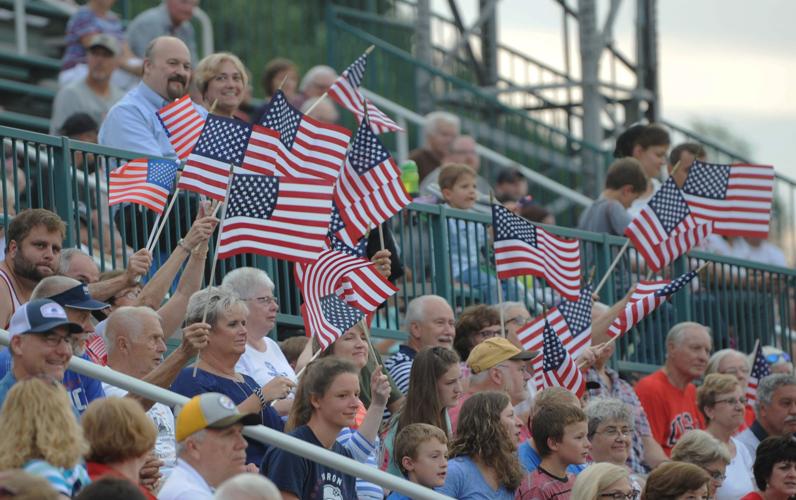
x=211 y=410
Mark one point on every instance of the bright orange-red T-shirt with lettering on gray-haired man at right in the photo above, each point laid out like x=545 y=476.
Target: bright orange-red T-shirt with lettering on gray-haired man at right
x=671 y=411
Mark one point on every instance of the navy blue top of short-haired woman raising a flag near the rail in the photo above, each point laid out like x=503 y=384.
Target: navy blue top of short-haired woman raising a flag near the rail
x=190 y=386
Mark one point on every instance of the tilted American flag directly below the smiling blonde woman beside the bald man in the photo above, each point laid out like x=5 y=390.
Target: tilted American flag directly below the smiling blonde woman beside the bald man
x=222 y=143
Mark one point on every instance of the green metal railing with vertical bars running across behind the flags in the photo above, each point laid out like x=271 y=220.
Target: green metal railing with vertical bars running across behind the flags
x=741 y=301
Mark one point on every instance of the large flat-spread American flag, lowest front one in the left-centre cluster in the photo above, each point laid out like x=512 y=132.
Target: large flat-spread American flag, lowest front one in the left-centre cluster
x=281 y=217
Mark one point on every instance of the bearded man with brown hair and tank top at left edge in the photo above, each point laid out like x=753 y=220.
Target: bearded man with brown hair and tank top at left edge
x=33 y=249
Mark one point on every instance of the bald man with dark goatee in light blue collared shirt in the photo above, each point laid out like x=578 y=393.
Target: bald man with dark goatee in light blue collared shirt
x=132 y=123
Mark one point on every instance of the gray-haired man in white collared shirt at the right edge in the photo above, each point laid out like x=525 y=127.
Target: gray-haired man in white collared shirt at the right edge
x=776 y=410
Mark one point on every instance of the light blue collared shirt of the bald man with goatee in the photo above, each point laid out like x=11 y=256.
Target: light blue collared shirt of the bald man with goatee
x=133 y=125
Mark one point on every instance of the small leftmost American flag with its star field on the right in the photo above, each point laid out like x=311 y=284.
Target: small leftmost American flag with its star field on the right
x=146 y=182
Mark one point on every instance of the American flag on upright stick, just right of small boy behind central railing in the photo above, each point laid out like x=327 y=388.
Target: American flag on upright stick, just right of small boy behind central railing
x=522 y=248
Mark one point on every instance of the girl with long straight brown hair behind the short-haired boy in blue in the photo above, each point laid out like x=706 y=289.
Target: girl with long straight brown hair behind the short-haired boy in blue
x=427 y=402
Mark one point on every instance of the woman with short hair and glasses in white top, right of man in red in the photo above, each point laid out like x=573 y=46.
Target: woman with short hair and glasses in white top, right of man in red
x=721 y=400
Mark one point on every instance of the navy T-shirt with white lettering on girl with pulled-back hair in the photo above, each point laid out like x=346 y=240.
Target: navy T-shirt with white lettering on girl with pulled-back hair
x=304 y=478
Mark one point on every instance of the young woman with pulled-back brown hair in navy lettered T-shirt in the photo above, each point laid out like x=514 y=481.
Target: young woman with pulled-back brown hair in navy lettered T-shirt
x=326 y=403
